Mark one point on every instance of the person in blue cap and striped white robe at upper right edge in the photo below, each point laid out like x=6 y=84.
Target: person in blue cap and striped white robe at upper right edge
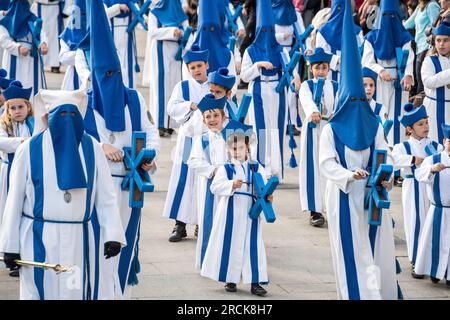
x=436 y=81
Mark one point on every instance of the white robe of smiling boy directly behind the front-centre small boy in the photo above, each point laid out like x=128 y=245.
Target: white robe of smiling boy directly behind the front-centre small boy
x=204 y=162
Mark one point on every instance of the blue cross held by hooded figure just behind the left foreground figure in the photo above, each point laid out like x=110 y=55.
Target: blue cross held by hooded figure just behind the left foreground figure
x=137 y=180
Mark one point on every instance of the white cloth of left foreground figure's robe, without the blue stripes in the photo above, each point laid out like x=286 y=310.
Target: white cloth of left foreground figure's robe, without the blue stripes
x=63 y=242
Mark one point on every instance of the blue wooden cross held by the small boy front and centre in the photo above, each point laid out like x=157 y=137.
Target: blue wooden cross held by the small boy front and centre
x=262 y=191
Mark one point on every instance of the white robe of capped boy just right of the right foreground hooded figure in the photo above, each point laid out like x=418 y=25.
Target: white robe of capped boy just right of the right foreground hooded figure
x=413 y=219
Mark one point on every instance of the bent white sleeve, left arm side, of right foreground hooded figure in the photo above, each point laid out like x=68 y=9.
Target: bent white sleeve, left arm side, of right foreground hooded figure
x=329 y=163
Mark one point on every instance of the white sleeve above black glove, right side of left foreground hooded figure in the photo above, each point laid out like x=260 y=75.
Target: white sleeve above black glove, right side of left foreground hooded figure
x=106 y=200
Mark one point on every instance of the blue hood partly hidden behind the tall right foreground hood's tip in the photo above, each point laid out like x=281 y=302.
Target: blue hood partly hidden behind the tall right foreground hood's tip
x=332 y=30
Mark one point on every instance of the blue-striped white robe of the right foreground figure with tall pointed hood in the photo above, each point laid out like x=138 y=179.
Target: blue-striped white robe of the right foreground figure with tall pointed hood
x=360 y=274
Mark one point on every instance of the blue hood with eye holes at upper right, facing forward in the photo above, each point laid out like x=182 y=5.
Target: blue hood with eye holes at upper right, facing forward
x=390 y=34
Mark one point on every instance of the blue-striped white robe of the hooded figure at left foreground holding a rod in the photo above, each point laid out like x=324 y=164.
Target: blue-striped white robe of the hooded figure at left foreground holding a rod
x=40 y=225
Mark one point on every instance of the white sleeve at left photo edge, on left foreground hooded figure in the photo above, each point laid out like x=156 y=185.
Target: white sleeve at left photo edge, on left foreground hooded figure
x=10 y=228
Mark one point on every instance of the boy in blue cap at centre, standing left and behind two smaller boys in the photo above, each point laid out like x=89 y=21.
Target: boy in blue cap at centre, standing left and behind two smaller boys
x=182 y=107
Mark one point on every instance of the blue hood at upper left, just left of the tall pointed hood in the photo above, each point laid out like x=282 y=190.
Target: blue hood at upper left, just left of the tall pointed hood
x=76 y=30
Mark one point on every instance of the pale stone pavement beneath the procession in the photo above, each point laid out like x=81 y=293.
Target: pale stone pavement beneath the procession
x=299 y=256
